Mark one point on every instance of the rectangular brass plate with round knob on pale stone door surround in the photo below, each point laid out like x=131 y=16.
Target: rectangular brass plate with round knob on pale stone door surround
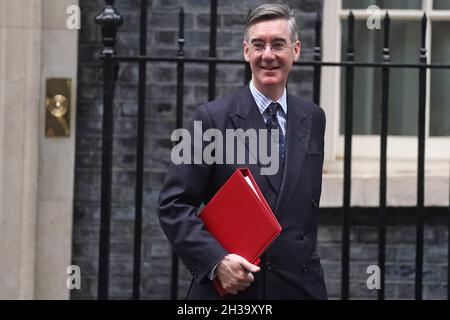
x=57 y=107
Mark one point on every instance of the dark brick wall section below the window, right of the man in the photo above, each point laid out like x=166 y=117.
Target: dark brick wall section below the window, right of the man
x=400 y=252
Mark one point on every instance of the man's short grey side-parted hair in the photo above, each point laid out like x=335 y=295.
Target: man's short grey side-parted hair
x=270 y=11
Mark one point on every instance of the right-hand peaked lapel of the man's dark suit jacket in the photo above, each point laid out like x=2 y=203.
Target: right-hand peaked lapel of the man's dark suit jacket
x=298 y=133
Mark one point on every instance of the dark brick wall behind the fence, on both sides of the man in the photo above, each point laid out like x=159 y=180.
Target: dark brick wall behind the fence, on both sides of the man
x=160 y=121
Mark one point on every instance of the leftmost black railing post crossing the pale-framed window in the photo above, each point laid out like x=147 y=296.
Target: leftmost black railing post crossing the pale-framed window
x=346 y=215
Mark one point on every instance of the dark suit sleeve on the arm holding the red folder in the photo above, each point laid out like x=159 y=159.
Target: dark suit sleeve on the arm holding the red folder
x=183 y=191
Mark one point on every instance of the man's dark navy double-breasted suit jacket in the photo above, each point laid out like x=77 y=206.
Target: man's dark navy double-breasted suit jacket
x=290 y=268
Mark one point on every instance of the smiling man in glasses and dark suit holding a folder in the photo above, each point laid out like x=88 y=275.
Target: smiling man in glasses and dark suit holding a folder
x=290 y=268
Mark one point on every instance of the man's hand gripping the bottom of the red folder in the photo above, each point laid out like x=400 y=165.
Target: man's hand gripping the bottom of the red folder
x=235 y=273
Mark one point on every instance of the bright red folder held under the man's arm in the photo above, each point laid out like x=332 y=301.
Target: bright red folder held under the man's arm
x=239 y=218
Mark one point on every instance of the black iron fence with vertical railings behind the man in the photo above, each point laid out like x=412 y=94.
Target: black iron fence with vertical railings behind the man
x=110 y=20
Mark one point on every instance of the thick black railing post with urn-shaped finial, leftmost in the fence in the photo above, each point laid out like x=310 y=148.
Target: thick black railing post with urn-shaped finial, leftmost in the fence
x=109 y=20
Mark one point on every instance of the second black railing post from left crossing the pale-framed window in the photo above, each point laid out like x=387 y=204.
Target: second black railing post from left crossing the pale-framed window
x=383 y=159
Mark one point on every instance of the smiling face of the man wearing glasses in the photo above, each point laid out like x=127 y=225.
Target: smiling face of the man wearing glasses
x=270 y=66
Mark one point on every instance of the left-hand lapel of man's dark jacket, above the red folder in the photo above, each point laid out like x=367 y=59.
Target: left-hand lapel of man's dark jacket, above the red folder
x=247 y=116
